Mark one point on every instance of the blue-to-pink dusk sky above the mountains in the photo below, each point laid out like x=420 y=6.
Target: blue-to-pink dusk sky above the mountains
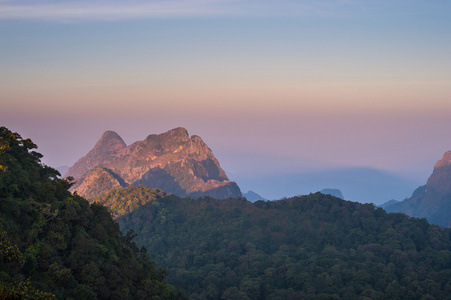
x=273 y=87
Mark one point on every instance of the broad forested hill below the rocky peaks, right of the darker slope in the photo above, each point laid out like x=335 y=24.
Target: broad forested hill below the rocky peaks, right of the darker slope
x=309 y=247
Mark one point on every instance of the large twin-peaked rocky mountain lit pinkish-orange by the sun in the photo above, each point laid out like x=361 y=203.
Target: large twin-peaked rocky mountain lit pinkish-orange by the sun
x=172 y=161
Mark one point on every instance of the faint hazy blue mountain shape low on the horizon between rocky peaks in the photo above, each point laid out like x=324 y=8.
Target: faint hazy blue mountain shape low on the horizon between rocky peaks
x=366 y=185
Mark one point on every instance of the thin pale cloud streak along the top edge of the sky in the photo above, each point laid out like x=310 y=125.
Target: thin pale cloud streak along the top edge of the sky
x=139 y=9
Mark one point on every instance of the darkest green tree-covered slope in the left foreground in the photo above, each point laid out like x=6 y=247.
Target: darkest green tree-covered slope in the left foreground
x=65 y=246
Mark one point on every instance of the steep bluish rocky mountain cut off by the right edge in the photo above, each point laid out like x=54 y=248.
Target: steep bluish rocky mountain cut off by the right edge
x=433 y=200
